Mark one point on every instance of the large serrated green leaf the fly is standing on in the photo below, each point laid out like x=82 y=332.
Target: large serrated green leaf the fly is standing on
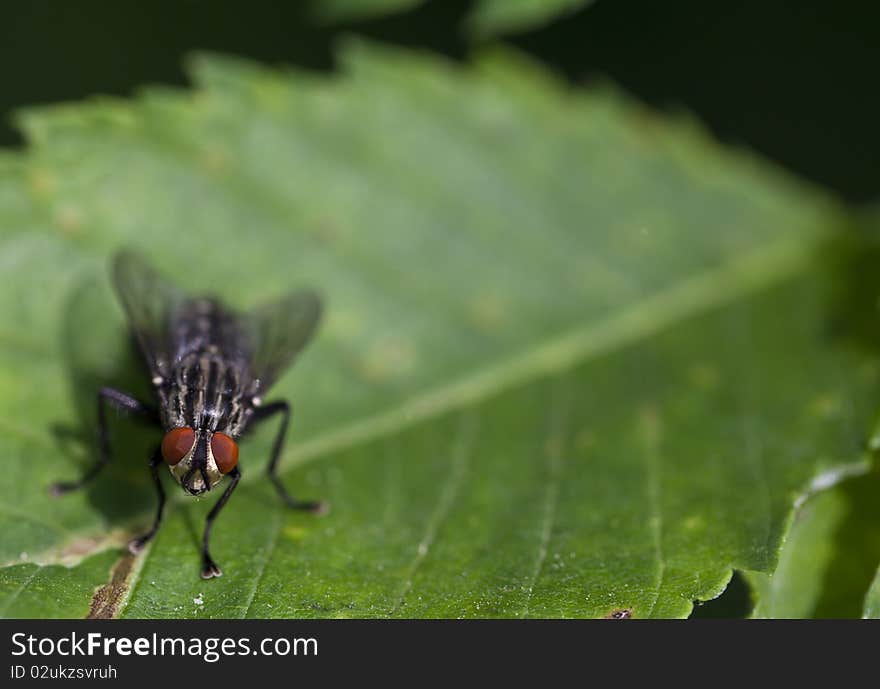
x=562 y=372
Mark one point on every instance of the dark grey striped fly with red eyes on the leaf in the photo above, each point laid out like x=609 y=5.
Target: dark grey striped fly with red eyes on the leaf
x=210 y=368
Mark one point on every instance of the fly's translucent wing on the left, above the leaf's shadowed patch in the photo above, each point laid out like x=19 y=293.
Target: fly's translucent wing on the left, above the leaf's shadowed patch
x=150 y=303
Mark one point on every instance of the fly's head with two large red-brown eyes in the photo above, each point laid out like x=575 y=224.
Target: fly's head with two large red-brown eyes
x=198 y=458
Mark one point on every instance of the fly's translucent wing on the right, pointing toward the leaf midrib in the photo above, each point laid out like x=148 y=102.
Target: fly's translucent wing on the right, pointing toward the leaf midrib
x=277 y=332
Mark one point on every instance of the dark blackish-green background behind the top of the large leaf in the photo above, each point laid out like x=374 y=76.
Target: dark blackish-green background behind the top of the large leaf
x=795 y=81
